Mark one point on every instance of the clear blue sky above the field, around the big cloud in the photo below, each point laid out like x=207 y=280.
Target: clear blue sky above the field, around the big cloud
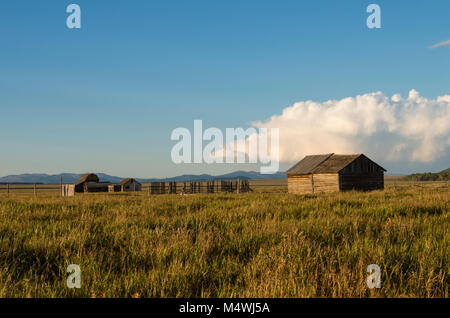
x=106 y=98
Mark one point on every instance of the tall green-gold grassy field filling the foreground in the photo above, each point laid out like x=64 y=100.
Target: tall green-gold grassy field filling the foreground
x=228 y=245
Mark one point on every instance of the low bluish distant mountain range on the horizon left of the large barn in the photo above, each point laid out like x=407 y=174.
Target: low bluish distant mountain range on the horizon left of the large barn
x=73 y=177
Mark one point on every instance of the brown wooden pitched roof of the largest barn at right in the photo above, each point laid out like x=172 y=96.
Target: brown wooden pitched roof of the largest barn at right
x=329 y=163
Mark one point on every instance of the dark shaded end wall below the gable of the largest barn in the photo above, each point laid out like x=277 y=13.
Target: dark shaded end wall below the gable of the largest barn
x=361 y=181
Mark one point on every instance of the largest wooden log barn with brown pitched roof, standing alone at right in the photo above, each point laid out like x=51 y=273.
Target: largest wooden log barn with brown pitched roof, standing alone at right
x=332 y=173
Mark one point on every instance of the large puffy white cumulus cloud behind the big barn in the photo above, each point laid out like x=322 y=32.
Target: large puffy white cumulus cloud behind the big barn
x=386 y=128
